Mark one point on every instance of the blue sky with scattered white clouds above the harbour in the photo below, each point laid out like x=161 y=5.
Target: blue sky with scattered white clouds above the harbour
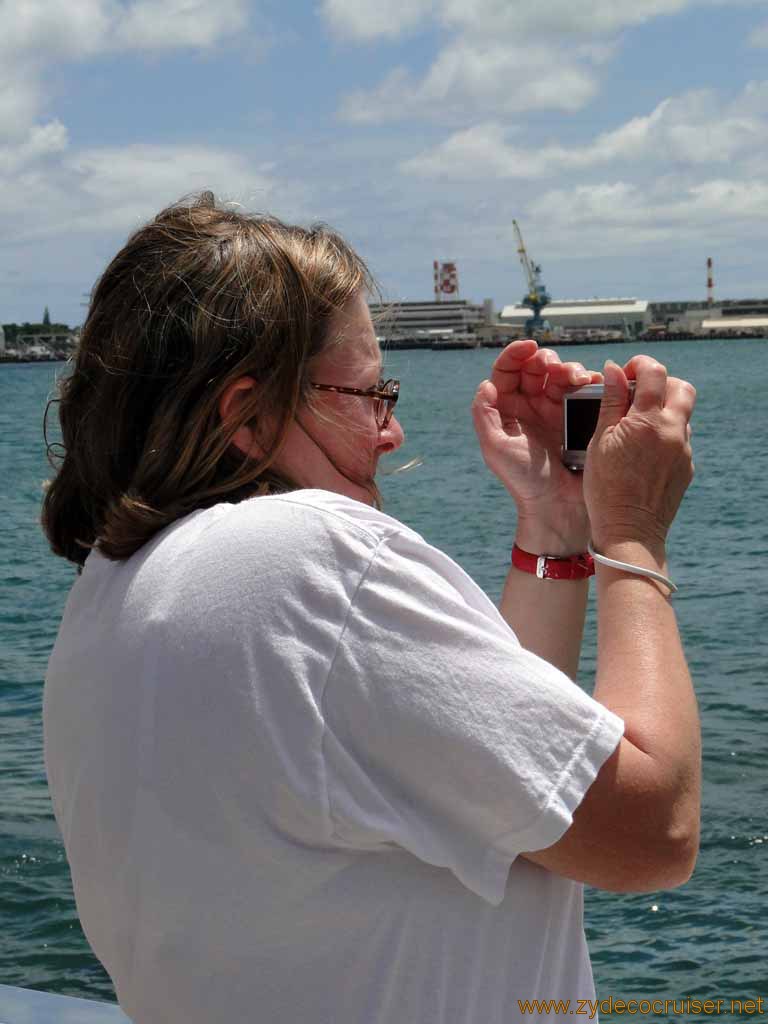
x=629 y=140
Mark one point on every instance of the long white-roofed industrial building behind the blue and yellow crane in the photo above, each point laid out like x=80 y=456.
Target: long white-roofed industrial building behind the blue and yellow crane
x=584 y=318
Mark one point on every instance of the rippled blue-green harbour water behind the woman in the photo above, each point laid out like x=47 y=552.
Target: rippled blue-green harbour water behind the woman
x=708 y=940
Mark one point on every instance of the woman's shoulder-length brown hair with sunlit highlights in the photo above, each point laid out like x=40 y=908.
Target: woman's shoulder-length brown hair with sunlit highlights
x=196 y=300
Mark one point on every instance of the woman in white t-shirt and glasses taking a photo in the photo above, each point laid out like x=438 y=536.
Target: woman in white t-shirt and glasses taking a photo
x=304 y=769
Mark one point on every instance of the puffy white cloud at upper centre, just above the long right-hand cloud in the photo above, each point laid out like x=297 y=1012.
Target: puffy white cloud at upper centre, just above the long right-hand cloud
x=471 y=77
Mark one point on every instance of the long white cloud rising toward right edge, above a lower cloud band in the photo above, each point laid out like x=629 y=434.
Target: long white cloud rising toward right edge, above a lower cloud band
x=695 y=130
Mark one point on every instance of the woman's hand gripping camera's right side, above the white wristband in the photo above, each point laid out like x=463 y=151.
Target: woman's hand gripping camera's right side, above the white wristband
x=639 y=463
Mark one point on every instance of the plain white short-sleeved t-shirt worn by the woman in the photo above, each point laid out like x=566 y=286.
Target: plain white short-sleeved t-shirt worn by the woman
x=294 y=753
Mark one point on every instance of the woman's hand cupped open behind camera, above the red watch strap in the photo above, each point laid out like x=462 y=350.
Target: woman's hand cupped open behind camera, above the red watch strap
x=519 y=418
